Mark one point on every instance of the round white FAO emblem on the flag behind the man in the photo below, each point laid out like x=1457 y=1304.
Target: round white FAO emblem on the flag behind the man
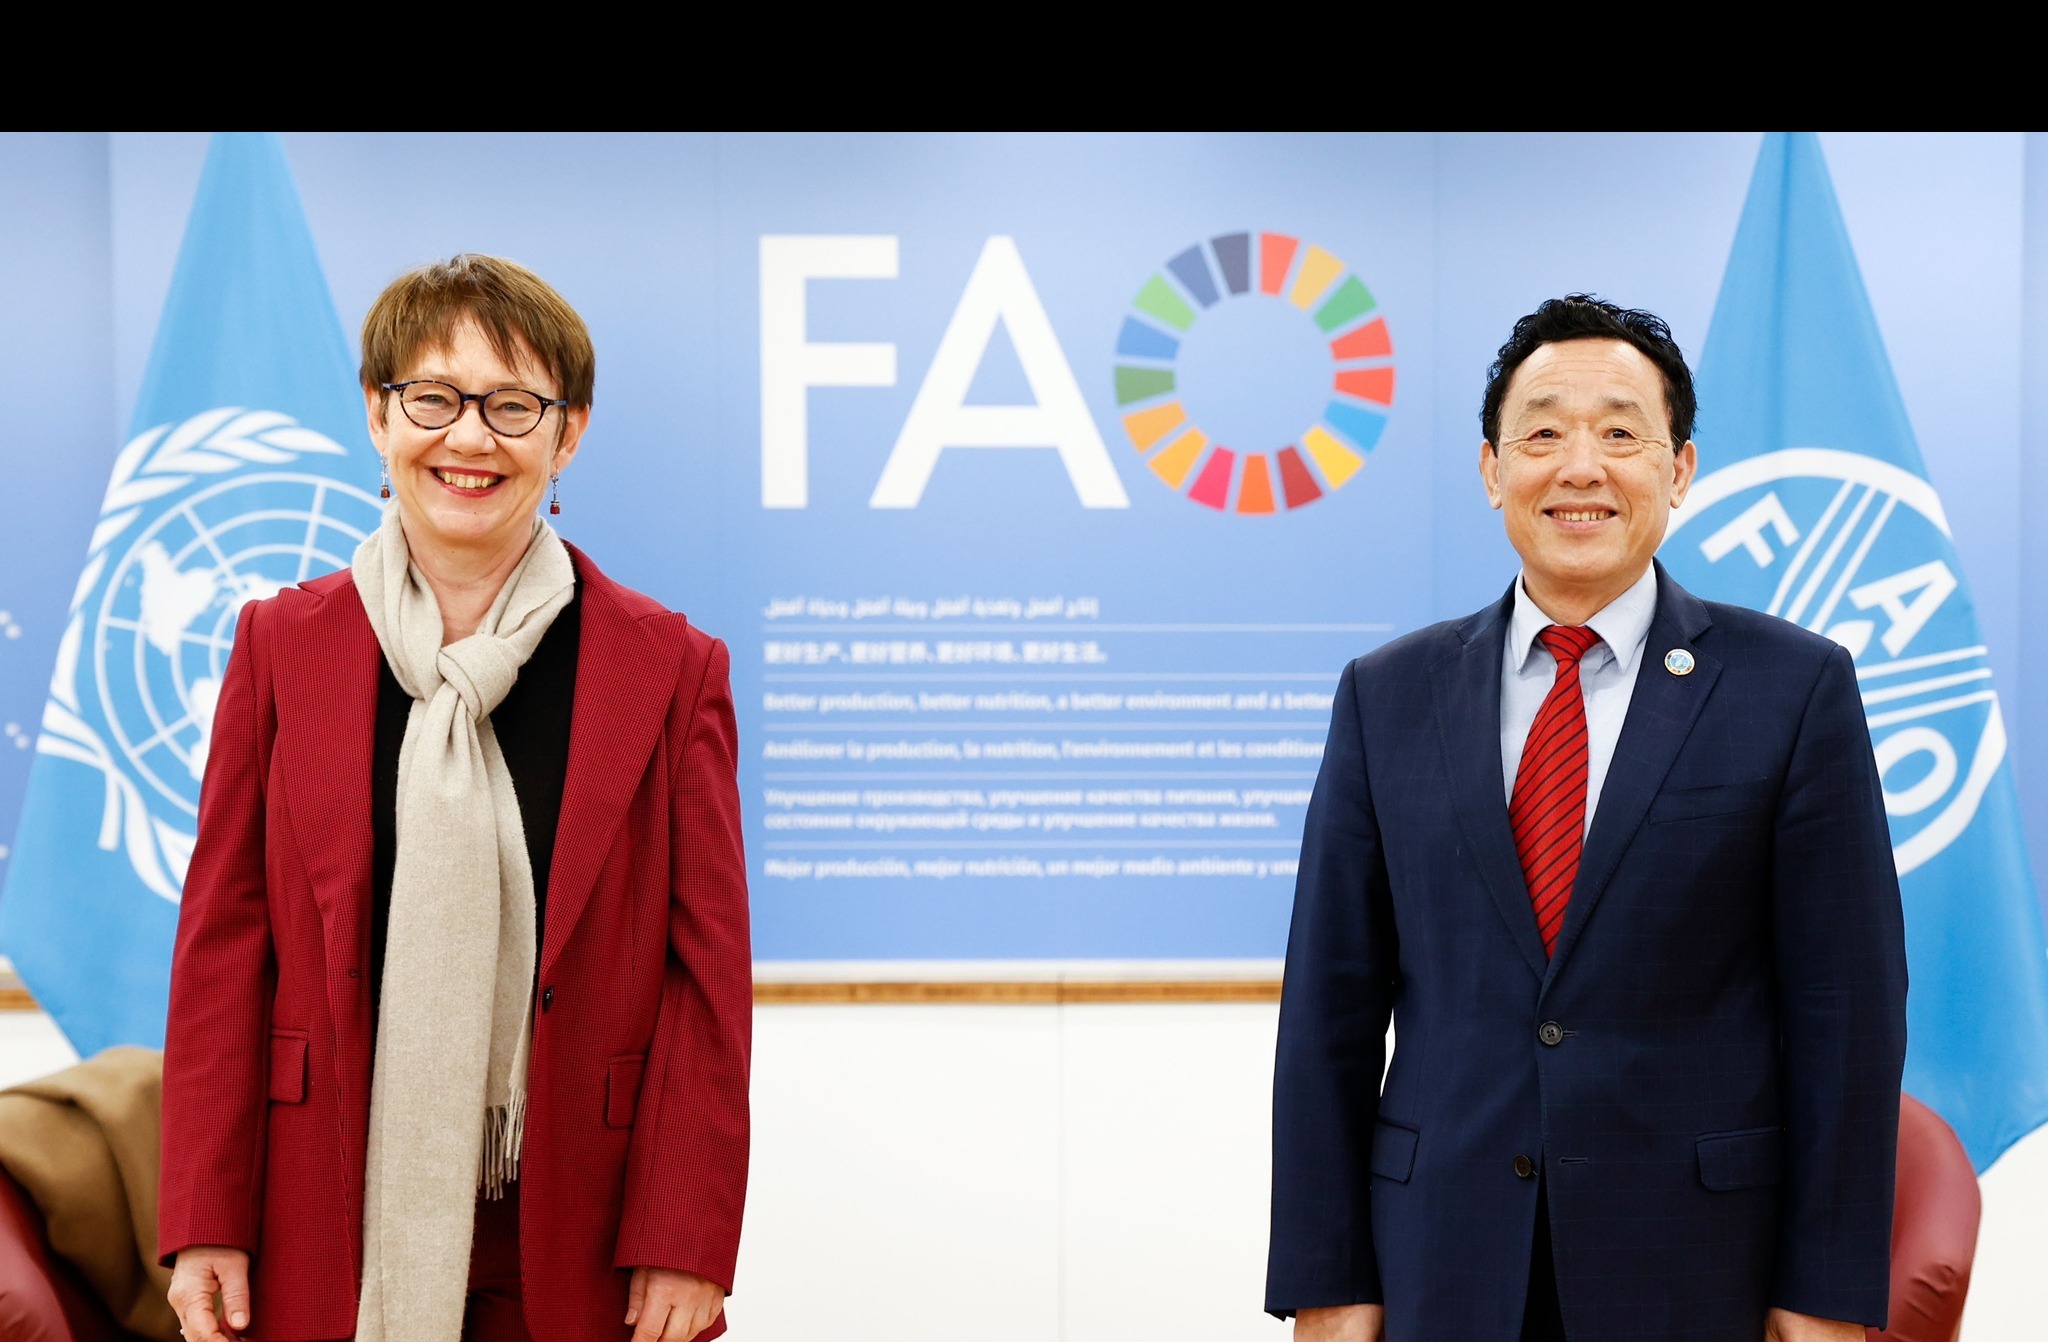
x=1861 y=550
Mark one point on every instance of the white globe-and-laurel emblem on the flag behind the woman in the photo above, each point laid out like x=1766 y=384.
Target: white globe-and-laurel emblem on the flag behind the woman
x=200 y=519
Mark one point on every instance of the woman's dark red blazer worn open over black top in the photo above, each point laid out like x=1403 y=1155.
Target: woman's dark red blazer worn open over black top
x=638 y=1091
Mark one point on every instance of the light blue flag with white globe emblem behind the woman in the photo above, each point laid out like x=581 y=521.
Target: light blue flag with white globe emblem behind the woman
x=243 y=474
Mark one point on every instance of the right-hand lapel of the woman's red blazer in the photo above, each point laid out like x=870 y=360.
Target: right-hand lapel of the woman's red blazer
x=626 y=677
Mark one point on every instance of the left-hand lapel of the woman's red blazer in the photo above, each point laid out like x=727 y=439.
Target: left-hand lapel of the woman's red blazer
x=327 y=708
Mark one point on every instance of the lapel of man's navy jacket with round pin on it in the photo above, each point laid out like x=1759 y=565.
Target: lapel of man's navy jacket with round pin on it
x=1662 y=714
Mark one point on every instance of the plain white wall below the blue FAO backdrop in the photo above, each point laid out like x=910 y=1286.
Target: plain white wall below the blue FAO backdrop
x=1058 y=1173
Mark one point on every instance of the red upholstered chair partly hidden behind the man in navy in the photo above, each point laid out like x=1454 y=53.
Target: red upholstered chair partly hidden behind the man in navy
x=1934 y=1230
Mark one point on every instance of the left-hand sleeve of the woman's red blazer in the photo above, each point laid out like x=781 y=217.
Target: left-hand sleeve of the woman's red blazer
x=222 y=982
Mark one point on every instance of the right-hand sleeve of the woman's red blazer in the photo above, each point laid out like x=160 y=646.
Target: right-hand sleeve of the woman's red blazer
x=689 y=1161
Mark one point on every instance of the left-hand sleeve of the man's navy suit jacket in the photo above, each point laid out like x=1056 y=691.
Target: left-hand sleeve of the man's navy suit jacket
x=1338 y=995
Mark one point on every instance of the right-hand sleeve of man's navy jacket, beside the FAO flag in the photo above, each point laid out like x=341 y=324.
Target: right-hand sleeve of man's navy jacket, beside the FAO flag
x=1842 y=987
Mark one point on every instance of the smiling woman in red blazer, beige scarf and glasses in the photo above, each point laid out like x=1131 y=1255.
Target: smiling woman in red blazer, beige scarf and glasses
x=620 y=1200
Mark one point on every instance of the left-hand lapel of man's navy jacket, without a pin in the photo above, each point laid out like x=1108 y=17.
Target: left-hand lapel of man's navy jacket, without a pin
x=1469 y=724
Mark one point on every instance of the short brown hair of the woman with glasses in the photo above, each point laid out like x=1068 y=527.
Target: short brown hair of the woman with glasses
x=517 y=310
